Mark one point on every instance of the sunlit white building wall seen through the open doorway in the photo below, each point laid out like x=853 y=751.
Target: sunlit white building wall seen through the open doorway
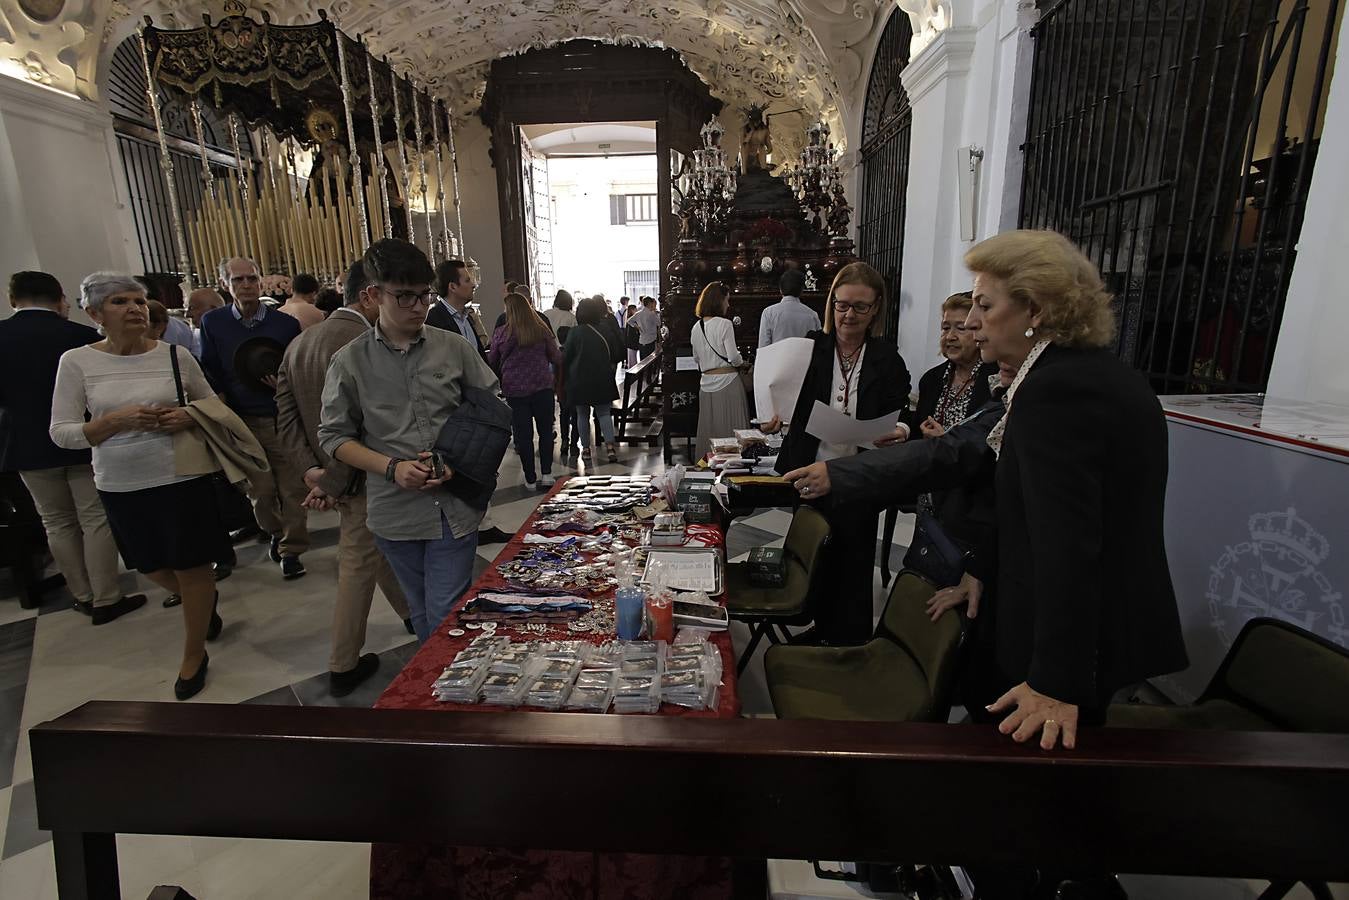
x=590 y=254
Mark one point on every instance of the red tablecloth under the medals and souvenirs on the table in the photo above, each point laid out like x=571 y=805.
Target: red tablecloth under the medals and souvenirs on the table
x=438 y=871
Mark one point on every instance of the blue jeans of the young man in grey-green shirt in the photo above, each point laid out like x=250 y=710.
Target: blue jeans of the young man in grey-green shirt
x=432 y=574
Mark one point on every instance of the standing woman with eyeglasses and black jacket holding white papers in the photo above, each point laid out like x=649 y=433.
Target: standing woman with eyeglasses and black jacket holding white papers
x=860 y=374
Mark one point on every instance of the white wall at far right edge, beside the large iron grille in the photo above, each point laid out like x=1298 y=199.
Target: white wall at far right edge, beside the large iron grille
x=1309 y=358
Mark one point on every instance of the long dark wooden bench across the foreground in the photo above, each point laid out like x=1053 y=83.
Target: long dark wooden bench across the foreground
x=1203 y=804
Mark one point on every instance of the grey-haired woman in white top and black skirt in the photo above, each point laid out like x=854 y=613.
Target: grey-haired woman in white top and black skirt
x=167 y=527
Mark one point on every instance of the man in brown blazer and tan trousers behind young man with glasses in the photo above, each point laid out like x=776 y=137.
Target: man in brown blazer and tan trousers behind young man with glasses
x=300 y=388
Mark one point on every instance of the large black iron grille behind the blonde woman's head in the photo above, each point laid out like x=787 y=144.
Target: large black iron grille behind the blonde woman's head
x=1174 y=141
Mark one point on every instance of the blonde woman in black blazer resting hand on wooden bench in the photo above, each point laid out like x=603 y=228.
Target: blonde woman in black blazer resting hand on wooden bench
x=1084 y=592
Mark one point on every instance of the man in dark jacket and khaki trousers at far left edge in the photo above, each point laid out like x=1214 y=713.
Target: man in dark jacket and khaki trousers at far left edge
x=60 y=481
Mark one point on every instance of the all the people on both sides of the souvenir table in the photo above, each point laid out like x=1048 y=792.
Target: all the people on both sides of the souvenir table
x=1035 y=461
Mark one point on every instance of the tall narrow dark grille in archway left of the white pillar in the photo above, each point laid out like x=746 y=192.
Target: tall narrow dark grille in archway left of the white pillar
x=886 y=164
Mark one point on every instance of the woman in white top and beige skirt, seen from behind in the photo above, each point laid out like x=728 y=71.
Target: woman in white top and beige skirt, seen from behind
x=721 y=399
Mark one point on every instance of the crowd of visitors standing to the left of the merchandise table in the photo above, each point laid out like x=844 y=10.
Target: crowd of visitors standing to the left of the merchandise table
x=304 y=404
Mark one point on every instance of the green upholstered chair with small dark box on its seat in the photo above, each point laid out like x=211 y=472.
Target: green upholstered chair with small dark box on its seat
x=768 y=609
